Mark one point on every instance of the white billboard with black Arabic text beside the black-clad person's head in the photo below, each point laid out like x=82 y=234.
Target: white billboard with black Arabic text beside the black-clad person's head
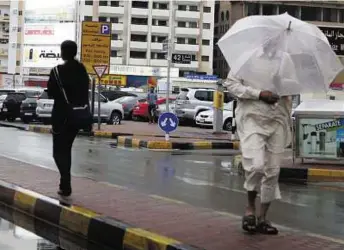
x=42 y=56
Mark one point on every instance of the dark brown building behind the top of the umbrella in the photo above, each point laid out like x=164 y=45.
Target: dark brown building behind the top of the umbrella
x=327 y=15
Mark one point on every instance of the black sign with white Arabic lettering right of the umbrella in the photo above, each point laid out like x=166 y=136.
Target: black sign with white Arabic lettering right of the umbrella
x=335 y=37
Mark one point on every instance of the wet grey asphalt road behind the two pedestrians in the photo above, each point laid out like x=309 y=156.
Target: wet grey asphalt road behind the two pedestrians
x=199 y=178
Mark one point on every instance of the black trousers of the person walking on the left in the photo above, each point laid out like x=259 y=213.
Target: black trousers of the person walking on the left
x=62 y=153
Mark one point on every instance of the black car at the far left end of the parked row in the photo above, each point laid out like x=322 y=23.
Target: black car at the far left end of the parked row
x=11 y=105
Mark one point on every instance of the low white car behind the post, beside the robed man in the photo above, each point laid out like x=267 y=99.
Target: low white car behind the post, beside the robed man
x=205 y=118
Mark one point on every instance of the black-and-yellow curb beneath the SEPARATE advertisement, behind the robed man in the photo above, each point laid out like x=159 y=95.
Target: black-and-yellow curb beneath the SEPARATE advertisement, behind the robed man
x=300 y=174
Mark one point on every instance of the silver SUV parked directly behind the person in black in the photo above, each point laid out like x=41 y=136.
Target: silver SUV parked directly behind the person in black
x=110 y=112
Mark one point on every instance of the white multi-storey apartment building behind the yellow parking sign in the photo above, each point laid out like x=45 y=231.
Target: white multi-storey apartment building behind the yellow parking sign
x=139 y=29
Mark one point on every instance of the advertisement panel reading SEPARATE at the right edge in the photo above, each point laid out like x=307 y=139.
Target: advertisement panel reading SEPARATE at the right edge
x=321 y=138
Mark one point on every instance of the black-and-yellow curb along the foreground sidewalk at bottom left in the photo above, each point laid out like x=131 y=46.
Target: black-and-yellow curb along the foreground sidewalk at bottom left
x=89 y=225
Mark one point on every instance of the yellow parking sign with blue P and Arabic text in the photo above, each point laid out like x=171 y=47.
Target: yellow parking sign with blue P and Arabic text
x=95 y=45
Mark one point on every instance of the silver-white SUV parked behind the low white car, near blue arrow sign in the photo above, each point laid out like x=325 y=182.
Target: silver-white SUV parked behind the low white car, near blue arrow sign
x=191 y=101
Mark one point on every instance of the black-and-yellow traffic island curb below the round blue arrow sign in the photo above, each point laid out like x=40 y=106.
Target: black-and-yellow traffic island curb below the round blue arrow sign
x=129 y=142
